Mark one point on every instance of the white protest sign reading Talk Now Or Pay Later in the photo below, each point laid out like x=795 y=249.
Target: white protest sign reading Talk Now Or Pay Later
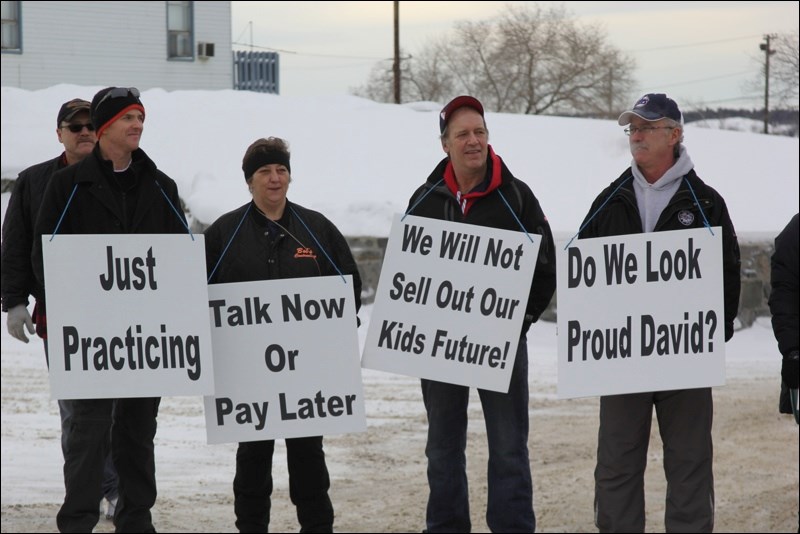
x=286 y=360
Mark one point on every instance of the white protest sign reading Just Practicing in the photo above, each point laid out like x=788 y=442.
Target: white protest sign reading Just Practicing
x=126 y=315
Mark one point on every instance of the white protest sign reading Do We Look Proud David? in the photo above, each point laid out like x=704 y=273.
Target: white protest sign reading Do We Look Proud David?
x=641 y=312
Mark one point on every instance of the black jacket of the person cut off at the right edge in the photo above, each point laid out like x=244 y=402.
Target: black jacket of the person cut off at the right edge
x=784 y=299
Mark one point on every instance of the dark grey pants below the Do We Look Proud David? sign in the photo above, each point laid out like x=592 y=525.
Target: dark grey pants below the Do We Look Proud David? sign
x=684 y=422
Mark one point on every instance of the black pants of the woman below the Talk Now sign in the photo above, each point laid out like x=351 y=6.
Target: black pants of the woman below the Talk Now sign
x=308 y=485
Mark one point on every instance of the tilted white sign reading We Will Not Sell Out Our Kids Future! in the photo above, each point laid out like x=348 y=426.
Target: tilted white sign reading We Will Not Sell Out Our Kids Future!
x=450 y=302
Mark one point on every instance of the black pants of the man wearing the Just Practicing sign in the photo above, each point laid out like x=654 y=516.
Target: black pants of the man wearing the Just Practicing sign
x=131 y=424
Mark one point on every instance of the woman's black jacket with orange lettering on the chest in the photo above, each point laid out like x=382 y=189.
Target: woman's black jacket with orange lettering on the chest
x=302 y=244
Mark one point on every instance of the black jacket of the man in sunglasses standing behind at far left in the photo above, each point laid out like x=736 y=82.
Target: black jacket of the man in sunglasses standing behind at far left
x=18 y=280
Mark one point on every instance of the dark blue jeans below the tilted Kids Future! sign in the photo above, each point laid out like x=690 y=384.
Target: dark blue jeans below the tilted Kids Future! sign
x=510 y=499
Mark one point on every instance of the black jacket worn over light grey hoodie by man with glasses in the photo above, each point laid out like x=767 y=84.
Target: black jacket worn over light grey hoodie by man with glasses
x=620 y=216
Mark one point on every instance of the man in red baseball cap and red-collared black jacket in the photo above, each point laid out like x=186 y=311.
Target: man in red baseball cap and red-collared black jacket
x=472 y=185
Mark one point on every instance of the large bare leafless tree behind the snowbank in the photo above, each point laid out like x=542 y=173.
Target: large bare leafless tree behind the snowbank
x=530 y=60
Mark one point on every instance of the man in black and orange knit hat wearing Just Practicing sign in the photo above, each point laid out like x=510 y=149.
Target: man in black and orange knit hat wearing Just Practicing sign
x=117 y=189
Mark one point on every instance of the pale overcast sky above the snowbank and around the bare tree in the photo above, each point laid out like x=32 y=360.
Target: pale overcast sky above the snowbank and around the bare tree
x=701 y=52
